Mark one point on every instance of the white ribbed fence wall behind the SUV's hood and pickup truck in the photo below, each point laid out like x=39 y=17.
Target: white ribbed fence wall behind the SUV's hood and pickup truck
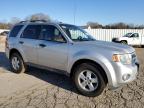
x=108 y=34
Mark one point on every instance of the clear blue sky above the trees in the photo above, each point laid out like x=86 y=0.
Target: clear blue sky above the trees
x=83 y=11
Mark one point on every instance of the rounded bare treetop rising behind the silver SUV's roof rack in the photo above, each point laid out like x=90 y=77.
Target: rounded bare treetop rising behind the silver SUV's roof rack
x=39 y=16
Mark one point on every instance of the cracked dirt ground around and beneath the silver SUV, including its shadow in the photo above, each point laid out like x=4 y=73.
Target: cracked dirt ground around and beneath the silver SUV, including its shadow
x=42 y=89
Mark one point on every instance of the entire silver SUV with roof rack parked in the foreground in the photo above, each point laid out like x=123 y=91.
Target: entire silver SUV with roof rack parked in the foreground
x=68 y=49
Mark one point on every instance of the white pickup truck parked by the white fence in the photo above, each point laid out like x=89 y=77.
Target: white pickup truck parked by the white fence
x=130 y=39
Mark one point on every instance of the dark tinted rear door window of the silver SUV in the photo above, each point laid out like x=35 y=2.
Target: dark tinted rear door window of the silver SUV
x=32 y=32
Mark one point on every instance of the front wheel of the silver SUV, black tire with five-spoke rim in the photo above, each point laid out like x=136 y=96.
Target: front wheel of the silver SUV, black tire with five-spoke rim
x=87 y=90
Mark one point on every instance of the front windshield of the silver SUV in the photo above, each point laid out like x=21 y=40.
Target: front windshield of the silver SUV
x=75 y=33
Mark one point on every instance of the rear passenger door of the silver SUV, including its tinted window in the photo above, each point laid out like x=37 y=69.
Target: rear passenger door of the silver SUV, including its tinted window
x=28 y=42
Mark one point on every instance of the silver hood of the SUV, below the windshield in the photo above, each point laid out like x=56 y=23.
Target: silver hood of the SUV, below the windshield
x=108 y=46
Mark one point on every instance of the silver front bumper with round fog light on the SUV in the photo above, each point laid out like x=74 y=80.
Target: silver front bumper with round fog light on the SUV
x=124 y=74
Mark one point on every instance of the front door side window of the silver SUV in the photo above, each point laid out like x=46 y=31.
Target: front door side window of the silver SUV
x=51 y=33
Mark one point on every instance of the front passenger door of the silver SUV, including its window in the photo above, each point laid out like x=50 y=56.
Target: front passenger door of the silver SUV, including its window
x=53 y=48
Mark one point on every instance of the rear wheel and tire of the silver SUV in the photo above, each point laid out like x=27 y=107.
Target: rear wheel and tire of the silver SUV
x=17 y=63
